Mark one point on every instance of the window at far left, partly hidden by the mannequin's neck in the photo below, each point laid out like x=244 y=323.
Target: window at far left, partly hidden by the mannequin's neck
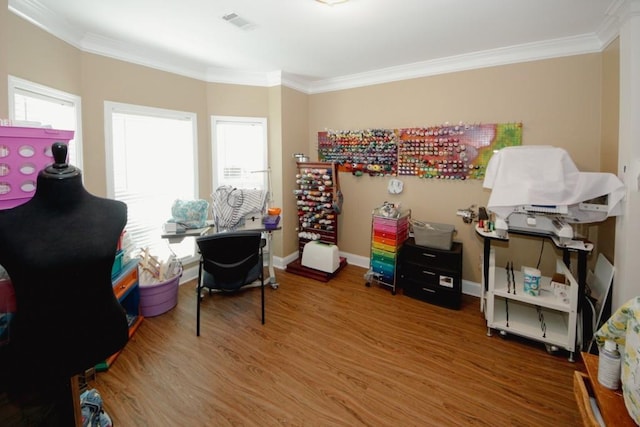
x=32 y=104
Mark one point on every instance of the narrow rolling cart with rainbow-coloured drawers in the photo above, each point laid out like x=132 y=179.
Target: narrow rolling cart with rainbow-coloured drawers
x=387 y=236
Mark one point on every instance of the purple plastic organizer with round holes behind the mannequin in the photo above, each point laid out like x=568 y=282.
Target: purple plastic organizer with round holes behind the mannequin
x=24 y=152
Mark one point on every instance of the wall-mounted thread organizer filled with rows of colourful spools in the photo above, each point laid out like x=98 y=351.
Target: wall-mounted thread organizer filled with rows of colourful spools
x=458 y=152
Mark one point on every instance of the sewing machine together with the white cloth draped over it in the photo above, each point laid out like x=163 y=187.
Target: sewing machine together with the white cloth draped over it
x=545 y=174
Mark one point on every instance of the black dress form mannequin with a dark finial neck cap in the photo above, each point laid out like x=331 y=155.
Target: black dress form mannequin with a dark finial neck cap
x=58 y=249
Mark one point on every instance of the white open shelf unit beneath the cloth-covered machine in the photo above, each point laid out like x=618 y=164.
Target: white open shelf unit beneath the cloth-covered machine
x=550 y=317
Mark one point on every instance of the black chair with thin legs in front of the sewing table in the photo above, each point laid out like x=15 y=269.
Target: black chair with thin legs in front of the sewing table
x=229 y=261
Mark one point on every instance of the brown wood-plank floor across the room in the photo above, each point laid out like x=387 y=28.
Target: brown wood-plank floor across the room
x=332 y=354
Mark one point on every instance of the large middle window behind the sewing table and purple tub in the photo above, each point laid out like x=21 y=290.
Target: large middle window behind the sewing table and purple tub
x=151 y=162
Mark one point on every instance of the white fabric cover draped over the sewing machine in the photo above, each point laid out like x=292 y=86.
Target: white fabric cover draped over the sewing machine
x=545 y=175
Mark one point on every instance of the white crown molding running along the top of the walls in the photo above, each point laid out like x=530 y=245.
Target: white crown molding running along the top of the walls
x=37 y=14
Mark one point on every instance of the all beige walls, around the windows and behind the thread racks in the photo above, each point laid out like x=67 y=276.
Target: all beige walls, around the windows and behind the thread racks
x=558 y=101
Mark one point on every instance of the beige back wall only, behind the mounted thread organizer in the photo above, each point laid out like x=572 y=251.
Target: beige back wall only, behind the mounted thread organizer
x=558 y=102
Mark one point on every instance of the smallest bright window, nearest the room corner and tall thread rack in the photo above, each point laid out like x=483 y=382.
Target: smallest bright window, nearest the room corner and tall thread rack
x=239 y=152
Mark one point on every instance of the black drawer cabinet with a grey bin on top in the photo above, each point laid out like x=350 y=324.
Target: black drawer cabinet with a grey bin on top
x=431 y=275
